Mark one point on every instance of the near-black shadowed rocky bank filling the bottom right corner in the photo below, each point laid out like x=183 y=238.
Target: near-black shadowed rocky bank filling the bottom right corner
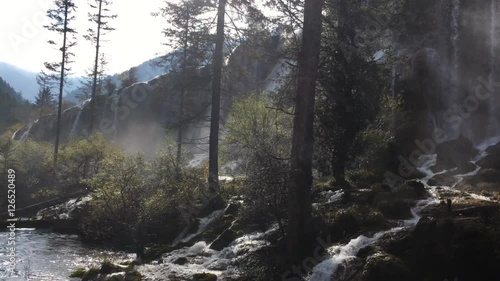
x=464 y=247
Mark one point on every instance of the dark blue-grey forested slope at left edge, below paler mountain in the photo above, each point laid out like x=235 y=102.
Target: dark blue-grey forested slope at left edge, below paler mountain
x=13 y=108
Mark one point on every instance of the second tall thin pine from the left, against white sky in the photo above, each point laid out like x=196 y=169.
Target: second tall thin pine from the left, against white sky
x=101 y=17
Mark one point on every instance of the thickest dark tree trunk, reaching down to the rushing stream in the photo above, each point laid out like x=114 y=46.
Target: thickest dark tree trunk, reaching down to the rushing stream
x=299 y=209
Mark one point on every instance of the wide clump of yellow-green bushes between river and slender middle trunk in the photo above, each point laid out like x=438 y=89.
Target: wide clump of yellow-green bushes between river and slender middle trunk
x=134 y=198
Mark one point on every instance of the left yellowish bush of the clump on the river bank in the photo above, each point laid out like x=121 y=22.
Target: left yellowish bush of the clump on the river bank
x=118 y=208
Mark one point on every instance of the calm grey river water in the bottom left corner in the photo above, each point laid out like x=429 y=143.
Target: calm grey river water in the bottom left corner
x=43 y=255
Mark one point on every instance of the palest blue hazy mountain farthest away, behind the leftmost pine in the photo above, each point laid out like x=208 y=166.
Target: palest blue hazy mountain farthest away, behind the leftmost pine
x=24 y=81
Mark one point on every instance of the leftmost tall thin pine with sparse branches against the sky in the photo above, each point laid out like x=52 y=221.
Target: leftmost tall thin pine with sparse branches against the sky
x=61 y=17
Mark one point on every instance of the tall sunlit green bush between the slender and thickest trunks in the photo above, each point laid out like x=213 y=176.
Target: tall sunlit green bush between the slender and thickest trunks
x=259 y=139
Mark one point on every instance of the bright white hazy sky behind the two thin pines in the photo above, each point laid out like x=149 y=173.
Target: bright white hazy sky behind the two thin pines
x=136 y=39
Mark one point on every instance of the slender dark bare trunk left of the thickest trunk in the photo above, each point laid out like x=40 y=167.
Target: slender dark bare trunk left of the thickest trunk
x=213 y=160
